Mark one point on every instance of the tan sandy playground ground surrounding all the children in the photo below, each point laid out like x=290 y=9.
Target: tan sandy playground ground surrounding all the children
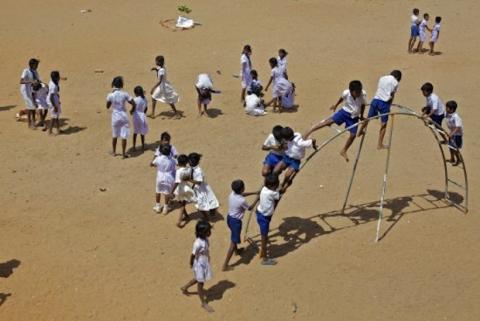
x=84 y=254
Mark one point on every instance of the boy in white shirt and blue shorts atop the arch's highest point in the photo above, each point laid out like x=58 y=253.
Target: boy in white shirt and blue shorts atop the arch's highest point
x=381 y=103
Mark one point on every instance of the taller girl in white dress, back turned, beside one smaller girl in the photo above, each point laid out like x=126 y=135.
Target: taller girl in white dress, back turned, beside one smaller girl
x=120 y=126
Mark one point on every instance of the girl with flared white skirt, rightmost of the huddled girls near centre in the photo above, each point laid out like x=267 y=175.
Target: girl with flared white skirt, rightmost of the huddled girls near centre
x=206 y=199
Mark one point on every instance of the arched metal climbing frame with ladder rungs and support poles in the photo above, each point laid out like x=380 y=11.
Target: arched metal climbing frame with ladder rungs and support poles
x=439 y=135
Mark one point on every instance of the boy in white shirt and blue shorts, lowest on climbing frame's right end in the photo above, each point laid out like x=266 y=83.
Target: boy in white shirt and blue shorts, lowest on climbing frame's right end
x=455 y=135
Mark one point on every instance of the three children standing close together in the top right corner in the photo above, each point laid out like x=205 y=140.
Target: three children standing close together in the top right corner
x=419 y=28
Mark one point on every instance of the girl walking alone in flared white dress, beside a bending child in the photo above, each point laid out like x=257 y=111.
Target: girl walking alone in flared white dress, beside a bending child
x=163 y=91
